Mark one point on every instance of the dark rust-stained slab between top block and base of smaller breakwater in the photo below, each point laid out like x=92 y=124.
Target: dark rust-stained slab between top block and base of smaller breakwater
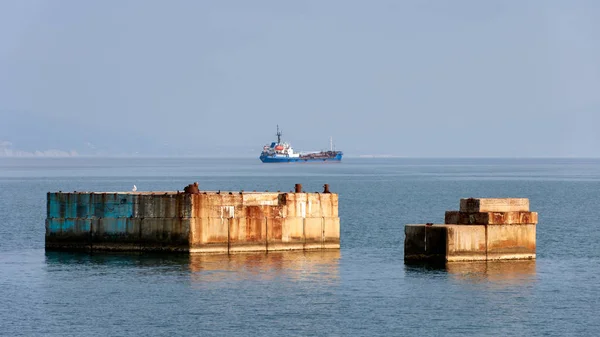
x=490 y=218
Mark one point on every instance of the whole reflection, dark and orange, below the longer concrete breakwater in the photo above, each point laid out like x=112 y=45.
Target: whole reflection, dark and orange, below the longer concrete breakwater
x=295 y=266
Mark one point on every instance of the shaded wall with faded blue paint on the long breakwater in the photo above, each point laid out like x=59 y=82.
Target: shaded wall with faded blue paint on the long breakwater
x=117 y=221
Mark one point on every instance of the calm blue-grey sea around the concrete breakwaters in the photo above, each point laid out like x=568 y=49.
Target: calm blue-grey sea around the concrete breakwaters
x=363 y=289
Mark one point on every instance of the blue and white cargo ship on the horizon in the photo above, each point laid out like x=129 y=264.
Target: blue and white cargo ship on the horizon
x=282 y=152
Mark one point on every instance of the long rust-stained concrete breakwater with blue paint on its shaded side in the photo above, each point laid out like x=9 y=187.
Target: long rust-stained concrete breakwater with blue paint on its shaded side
x=193 y=221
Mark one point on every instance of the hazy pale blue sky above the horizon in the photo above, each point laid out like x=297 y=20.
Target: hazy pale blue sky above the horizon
x=215 y=78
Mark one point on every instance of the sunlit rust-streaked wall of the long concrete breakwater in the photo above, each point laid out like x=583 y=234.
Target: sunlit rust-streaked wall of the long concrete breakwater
x=252 y=221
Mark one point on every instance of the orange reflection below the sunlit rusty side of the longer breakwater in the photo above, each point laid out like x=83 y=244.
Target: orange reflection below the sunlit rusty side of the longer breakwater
x=297 y=266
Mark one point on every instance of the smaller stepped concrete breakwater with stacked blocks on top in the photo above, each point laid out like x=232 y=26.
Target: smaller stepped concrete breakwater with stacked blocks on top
x=482 y=230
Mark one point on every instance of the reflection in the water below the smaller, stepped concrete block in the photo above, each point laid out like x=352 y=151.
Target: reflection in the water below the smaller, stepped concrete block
x=505 y=272
